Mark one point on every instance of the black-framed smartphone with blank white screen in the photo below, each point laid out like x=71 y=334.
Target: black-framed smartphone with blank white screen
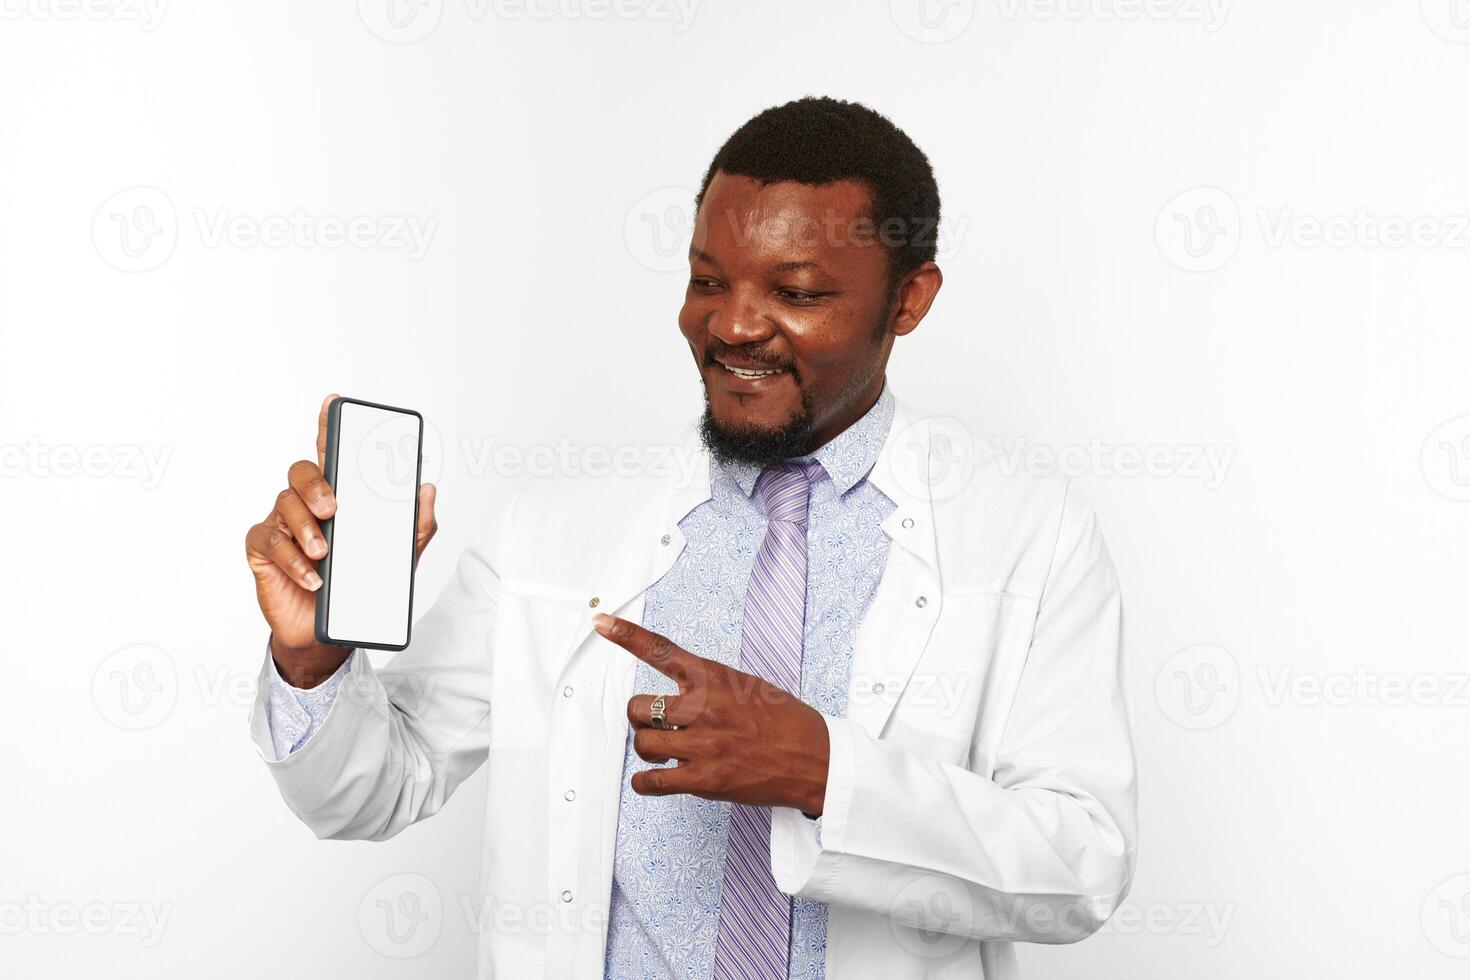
x=374 y=464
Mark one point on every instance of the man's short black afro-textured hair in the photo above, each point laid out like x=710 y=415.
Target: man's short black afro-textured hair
x=820 y=140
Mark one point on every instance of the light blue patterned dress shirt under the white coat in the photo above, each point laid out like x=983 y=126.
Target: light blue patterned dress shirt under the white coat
x=670 y=860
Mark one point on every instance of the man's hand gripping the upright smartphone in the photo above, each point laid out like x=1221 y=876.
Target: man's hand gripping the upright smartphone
x=283 y=552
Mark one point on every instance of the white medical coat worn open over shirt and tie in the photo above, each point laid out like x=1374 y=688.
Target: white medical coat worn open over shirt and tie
x=981 y=788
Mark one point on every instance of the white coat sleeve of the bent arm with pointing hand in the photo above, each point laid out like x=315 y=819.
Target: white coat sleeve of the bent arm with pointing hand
x=1043 y=850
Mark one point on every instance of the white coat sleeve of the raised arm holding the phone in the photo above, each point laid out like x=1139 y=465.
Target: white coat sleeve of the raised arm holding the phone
x=399 y=740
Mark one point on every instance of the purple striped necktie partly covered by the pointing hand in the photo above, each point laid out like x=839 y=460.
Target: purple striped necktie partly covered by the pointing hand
x=755 y=915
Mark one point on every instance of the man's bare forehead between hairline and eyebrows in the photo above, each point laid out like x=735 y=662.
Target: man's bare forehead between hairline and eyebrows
x=743 y=221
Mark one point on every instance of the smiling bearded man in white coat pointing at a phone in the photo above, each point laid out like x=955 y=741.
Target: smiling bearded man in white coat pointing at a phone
x=815 y=709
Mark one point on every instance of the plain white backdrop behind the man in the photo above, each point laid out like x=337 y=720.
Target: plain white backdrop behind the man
x=1213 y=258
